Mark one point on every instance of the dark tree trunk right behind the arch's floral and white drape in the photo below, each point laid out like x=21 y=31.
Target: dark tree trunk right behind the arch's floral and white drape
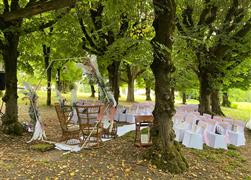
x=113 y=73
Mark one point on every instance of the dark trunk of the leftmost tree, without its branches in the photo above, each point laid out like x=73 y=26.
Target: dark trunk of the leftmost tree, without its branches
x=10 y=54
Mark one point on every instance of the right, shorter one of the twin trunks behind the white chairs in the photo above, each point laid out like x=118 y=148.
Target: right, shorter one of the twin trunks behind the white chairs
x=215 y=103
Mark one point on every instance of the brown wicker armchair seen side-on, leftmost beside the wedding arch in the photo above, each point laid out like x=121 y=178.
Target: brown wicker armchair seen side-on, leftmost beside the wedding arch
x=69 y=130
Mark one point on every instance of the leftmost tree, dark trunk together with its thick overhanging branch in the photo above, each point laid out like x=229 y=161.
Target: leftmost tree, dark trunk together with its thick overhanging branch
x=11 y=22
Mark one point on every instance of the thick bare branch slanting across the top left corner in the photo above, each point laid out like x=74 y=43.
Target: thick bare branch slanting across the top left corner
x=36 y=8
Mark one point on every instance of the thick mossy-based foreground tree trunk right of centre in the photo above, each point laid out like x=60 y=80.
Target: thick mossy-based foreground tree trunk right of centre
x=165 y=152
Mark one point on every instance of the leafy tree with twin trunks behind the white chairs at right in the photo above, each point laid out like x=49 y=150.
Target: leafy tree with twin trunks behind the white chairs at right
x=216 y=34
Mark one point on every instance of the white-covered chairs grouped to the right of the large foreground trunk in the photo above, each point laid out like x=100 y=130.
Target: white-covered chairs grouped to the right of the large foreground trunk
x=194 y=130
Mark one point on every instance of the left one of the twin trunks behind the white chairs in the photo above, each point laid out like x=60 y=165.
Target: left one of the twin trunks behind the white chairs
x=204 y=106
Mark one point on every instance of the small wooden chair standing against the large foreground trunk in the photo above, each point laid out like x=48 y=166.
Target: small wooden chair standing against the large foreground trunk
x=143 y=121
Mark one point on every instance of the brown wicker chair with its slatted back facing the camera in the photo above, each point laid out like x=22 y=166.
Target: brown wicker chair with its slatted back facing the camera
x=89 y=123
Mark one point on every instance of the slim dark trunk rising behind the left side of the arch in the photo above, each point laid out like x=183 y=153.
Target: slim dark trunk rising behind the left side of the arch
x=46 y=51
